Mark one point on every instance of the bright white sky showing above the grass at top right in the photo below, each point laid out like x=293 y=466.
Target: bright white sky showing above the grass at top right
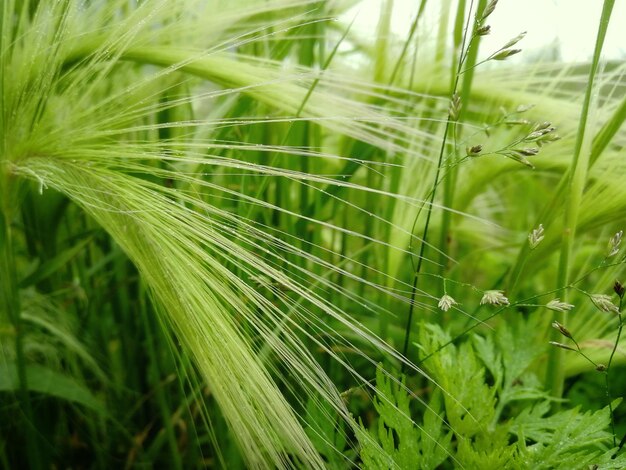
x=573 y=23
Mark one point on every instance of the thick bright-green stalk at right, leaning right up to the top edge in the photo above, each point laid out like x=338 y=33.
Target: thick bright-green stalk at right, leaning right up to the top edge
x=575 y=185
